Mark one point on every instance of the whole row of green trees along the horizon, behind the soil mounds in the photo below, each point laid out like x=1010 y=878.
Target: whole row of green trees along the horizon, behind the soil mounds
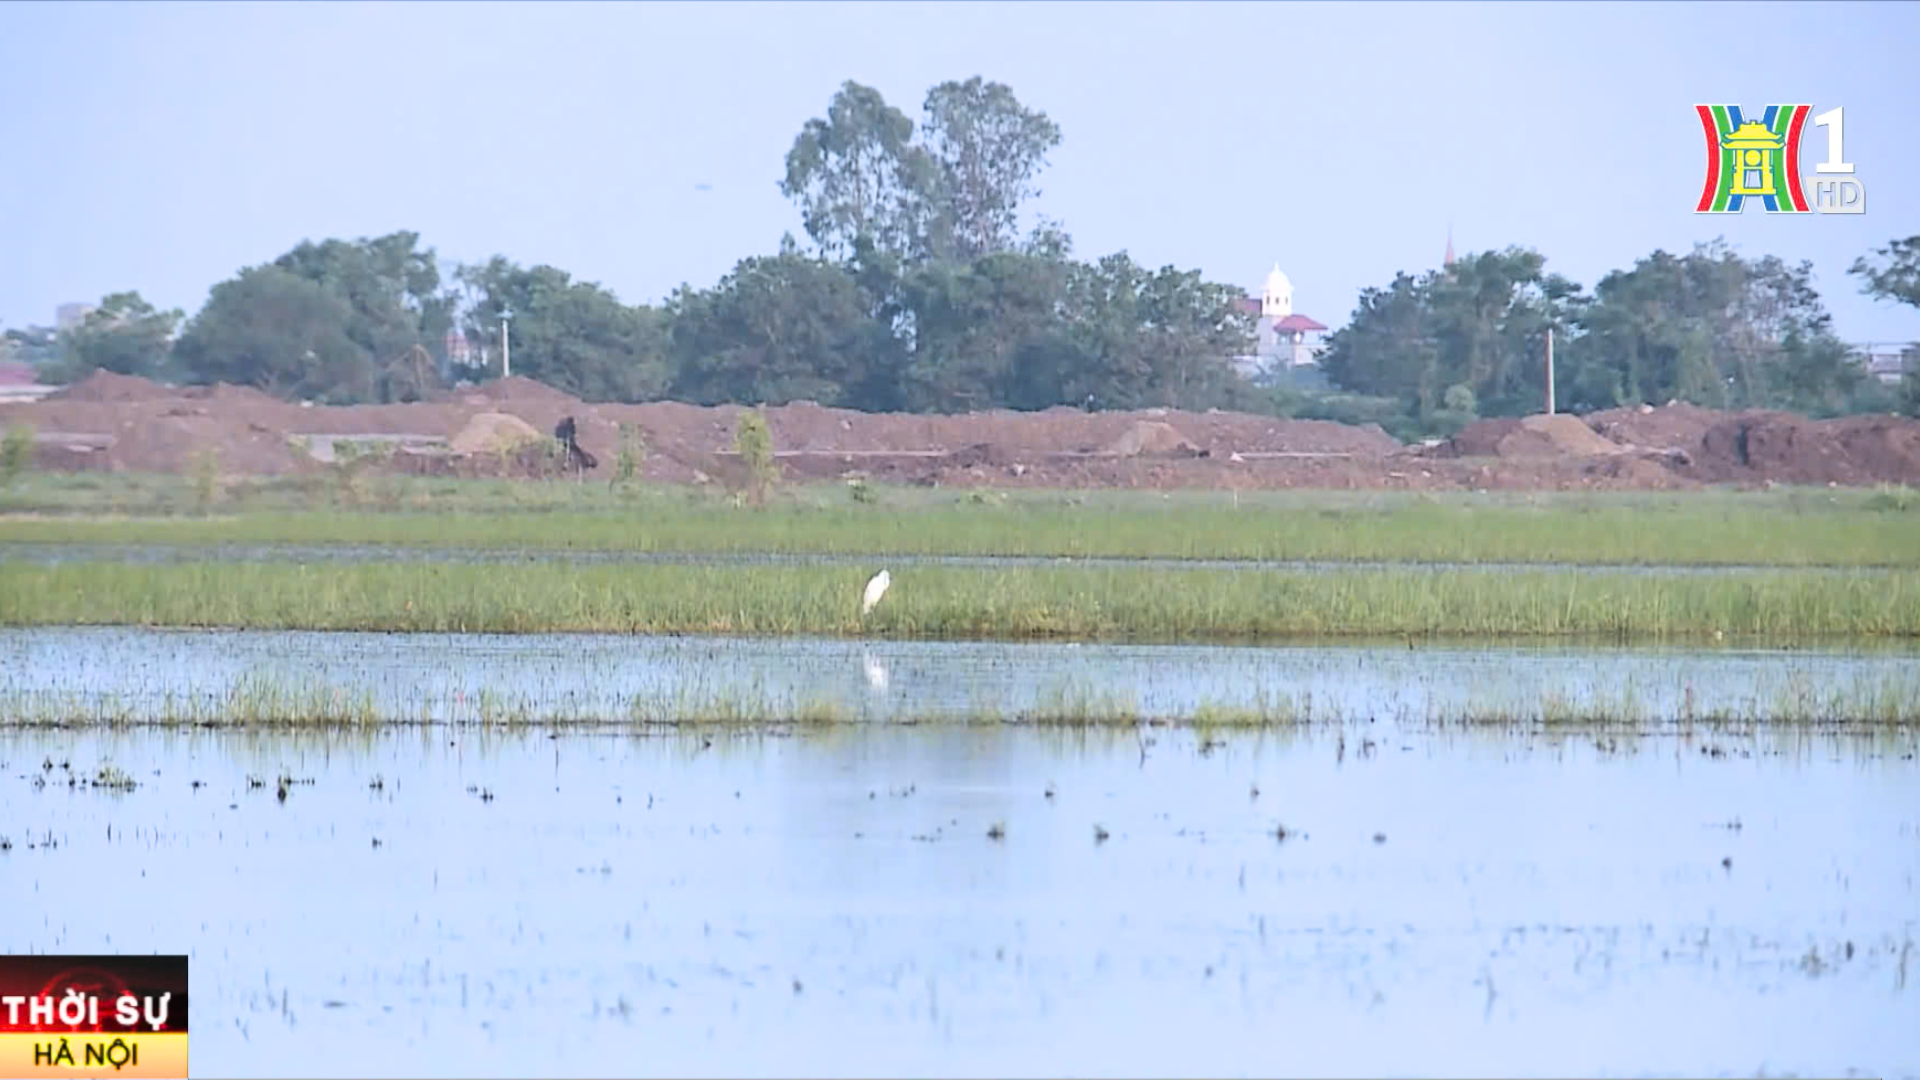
x=919 y=291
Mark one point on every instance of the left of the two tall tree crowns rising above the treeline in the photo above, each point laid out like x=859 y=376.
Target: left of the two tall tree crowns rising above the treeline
x=857 y=174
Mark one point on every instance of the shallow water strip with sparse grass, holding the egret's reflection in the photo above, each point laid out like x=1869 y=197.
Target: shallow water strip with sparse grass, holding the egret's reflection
x=133 y=675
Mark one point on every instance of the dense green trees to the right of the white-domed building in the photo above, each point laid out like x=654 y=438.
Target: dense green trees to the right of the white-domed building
x=1708 y=328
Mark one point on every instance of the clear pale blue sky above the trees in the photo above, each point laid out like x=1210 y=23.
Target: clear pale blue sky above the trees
x=162 y=147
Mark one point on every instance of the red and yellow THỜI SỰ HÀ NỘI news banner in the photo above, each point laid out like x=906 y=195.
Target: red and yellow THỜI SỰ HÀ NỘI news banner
x=93 y=1016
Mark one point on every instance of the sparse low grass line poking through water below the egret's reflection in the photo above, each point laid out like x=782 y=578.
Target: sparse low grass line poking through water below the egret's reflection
x=1875 y=700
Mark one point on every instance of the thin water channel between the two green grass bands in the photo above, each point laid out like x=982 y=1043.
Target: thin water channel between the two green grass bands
x=57 y=554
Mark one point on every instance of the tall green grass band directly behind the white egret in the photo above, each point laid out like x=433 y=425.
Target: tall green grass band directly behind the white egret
x=963 y=604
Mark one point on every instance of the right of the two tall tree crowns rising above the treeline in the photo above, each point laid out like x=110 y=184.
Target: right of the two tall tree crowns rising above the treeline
x=988 y=149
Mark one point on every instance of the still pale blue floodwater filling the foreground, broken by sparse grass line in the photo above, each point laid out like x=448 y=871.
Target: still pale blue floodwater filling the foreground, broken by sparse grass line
x=982 y=900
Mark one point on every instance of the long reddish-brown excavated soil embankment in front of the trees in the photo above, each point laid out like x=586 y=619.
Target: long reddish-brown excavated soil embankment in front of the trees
x=141 y=426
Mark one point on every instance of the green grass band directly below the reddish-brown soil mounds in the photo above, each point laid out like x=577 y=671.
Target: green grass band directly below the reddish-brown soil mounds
x=1794 y=529
